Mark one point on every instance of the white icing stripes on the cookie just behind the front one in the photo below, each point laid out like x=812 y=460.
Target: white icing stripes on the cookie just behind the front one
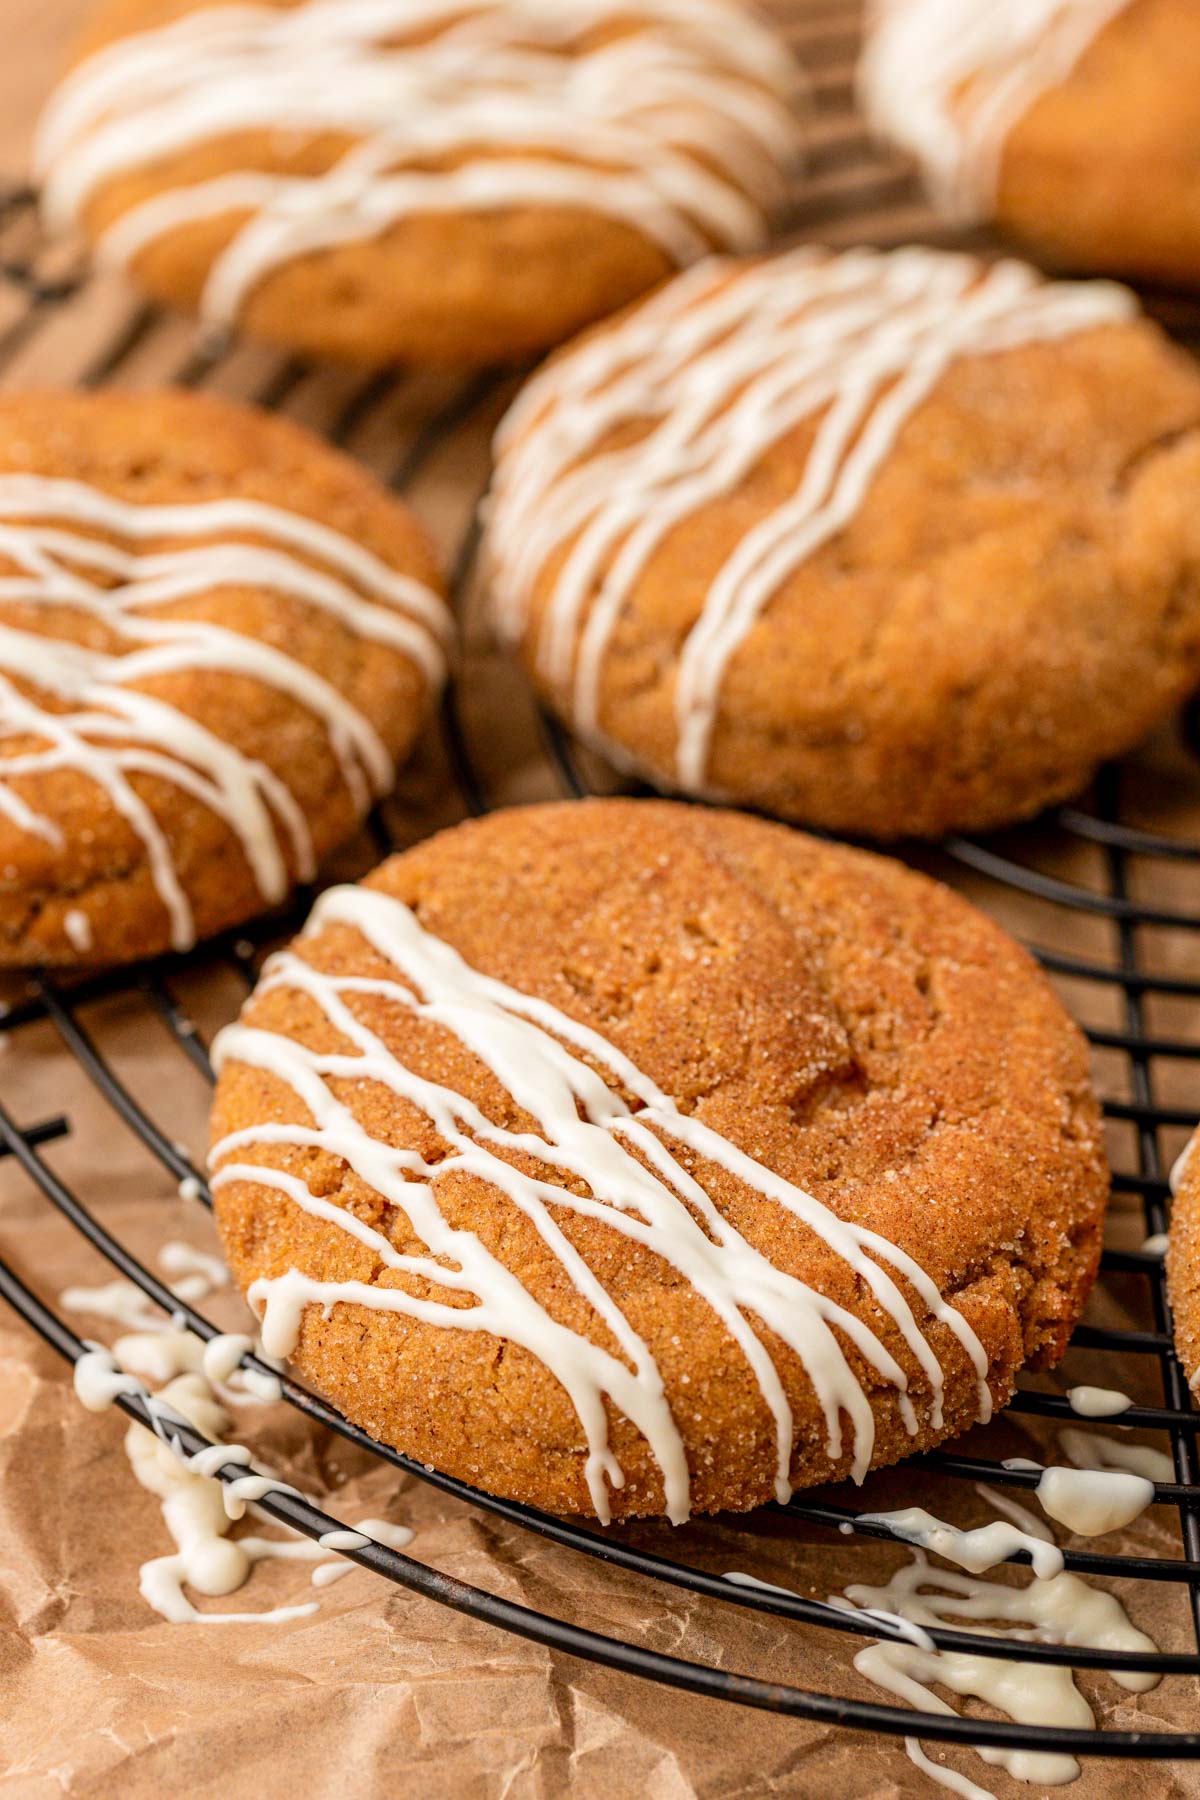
x=620 y=444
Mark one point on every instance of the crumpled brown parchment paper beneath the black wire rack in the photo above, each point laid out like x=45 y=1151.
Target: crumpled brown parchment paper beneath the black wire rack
x=381 y=1693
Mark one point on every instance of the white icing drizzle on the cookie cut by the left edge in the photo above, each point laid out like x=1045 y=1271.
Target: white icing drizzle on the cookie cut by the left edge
x=84 y=708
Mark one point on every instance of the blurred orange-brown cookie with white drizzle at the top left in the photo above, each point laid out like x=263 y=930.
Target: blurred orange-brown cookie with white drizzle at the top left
x=460 y=181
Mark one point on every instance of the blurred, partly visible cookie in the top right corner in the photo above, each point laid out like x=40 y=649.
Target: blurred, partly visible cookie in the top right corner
x=1070 y=123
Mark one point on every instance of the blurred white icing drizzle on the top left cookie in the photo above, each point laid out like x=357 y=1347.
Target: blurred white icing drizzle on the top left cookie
x=670 y=116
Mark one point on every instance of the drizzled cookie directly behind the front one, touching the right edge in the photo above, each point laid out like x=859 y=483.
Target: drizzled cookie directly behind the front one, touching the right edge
x=893 y=544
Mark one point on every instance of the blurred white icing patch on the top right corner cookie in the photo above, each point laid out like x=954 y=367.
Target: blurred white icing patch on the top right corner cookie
x=951 y=78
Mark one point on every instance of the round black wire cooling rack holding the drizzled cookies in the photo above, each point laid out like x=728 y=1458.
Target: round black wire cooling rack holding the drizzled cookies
x=1095 y=874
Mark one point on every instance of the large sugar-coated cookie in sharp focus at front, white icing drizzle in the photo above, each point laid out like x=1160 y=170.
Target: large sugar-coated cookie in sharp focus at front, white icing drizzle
x=634 y=1158
